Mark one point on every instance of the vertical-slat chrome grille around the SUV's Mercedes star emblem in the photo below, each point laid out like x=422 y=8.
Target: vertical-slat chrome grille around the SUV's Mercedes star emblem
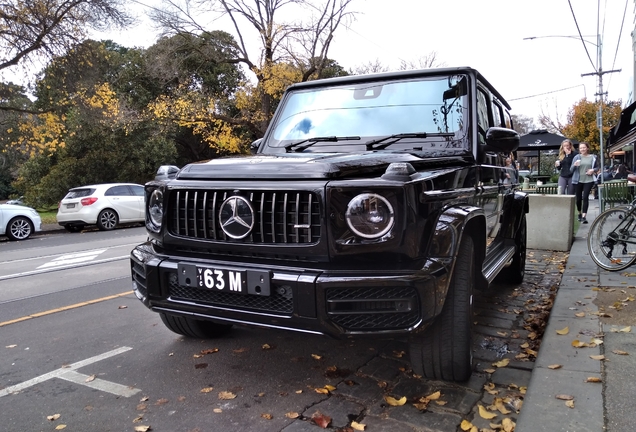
x=290 y=217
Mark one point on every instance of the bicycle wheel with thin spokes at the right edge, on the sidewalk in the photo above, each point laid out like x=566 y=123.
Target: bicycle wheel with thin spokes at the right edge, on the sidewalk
x=610 y=241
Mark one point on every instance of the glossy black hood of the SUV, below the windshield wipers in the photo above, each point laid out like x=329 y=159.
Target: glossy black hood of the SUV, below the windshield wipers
x=314 y=165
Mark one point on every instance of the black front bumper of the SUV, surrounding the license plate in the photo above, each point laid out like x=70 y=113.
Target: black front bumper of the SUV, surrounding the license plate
x=334 y=303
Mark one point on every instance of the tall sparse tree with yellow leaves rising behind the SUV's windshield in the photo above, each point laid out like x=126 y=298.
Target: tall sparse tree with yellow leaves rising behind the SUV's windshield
x=300 y=47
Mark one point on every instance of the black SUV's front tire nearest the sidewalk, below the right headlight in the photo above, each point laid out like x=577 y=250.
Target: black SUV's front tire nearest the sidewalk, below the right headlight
x=444 y=351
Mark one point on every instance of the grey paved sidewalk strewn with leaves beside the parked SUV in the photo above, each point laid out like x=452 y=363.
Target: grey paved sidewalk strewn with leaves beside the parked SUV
x=598 y=406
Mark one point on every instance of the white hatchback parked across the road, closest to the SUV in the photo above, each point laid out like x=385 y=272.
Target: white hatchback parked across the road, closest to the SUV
x=104 y=205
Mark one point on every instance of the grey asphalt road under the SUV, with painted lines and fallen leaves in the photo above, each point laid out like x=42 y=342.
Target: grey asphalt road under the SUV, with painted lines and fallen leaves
x=77 y=343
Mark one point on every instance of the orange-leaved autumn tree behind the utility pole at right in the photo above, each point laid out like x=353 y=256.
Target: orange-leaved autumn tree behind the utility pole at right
x=582 y=125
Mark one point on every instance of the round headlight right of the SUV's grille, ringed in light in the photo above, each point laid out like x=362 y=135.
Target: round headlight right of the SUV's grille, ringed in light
x=370 y=215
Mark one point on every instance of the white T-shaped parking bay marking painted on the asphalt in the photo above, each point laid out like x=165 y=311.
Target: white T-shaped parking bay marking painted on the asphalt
x=68 y=374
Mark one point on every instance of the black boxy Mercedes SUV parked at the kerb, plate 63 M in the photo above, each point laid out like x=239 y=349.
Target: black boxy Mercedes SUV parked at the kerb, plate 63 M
x=373 y=206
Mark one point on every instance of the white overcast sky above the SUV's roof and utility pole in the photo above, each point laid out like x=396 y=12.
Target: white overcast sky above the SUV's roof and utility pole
x=540 y=75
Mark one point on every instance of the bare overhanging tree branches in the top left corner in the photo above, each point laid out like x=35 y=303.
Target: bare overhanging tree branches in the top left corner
x=33 y=30
